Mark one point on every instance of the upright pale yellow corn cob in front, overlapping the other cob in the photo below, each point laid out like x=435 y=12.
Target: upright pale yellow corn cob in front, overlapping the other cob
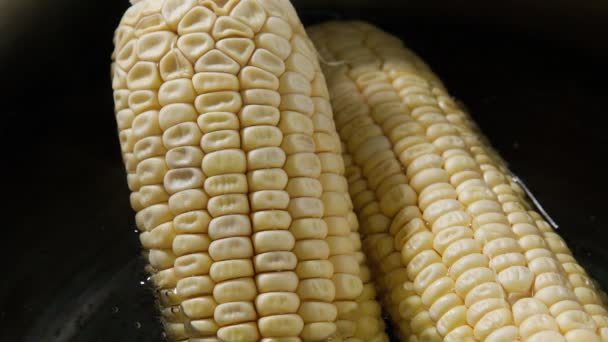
x=236 y=174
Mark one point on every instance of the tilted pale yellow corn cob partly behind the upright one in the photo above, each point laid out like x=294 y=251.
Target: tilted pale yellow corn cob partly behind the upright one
x=459 y=254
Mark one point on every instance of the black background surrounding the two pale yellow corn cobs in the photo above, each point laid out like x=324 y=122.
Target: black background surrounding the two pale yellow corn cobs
x=533 y=76
